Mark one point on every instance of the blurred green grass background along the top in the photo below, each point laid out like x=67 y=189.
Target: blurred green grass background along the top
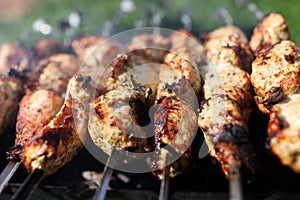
x=203 y=15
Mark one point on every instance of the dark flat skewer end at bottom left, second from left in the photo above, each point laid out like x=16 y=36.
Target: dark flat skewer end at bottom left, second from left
x=29 y=185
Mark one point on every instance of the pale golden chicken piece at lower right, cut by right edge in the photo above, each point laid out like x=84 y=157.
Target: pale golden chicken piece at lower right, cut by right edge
x=284 y=132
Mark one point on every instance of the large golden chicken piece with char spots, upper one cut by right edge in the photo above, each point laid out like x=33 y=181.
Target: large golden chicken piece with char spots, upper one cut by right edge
x=275 y=74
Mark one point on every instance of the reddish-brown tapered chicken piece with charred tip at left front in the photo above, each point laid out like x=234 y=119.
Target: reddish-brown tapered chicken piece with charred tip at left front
x=36 y=110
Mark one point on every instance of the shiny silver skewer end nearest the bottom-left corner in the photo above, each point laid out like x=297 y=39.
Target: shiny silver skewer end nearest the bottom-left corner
x=7 y=173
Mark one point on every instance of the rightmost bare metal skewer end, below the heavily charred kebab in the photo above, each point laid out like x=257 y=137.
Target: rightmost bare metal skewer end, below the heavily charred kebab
x=235 y=184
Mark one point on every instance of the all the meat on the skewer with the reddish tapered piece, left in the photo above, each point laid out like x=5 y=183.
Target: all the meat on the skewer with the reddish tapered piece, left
x=42 y=101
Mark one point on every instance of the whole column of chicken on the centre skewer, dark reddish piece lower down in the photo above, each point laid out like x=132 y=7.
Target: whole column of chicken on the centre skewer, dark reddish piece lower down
x=175 y=118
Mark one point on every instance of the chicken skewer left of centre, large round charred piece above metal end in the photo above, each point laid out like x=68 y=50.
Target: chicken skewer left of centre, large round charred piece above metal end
x=113 y=122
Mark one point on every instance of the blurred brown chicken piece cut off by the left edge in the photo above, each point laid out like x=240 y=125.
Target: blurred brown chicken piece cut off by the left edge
x=10 y=94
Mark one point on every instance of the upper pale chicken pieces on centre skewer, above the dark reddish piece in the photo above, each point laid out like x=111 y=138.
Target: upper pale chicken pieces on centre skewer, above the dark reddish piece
x=181 y=67
